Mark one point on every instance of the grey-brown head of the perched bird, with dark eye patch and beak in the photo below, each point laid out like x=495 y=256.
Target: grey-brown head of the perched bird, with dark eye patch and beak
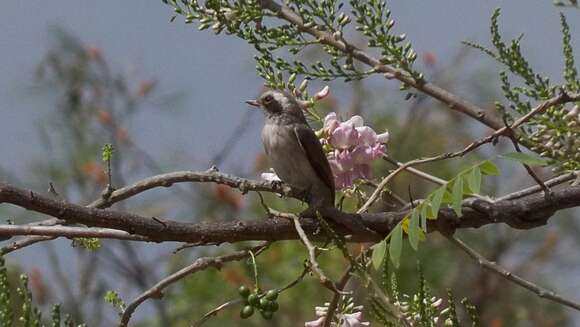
x=278 y=104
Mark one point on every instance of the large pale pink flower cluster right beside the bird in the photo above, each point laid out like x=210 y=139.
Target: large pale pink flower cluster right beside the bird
x=351 y=148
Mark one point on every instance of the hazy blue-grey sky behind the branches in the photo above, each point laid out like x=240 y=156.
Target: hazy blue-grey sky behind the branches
x=216 y=73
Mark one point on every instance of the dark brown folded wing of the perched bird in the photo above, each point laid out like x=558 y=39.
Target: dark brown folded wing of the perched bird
x=313 y=149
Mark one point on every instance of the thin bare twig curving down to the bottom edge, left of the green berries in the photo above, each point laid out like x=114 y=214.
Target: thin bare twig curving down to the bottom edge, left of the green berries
x=197 y=265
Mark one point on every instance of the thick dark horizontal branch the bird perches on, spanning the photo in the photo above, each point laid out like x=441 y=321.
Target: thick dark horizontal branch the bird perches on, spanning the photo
x=523 y=213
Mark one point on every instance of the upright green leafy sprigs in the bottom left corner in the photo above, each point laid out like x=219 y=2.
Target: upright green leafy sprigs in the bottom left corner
x=21 y=307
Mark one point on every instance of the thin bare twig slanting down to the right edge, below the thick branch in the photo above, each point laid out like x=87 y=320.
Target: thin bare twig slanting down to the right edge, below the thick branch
x=495 y=268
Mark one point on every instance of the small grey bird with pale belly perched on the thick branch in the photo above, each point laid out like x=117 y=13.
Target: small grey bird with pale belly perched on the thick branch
x=294 y=151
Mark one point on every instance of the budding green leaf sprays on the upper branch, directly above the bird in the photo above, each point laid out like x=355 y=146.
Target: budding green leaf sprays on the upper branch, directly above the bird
x=247 y=20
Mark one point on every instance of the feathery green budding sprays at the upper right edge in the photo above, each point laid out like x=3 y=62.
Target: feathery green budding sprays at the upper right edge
x=554 y=133
